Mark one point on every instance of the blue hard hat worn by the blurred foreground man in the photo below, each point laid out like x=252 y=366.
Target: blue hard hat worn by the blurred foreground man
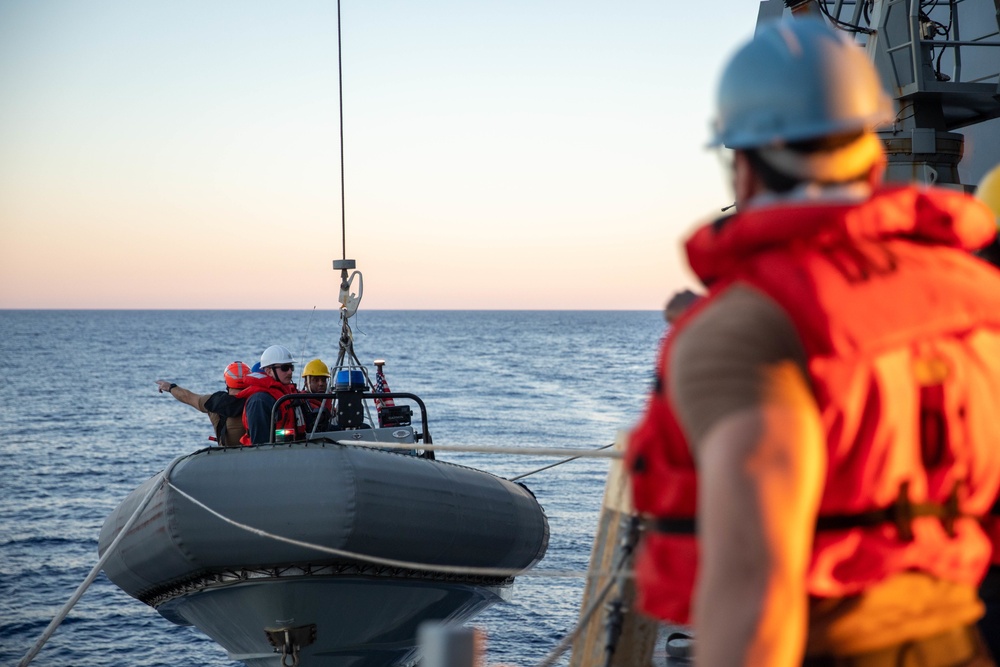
x=797 y=79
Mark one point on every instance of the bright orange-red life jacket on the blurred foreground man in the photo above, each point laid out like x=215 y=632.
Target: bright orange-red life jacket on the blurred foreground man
x=901 y=327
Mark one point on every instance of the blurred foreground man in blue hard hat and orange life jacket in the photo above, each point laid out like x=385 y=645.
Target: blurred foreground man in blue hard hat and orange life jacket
x=822 y=440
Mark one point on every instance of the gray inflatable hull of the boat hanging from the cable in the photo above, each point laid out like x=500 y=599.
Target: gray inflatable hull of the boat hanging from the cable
x=236 y=586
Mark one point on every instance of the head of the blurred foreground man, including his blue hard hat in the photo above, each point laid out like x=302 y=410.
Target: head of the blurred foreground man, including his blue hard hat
x=809 y=128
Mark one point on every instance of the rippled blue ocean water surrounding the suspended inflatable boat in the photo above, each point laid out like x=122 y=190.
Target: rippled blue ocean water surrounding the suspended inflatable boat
x=82 y=424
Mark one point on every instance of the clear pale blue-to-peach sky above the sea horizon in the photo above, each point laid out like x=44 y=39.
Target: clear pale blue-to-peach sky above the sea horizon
x=512 y=154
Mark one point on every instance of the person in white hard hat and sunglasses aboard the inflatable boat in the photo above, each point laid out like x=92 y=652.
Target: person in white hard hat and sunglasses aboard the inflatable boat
x=263 y=390
